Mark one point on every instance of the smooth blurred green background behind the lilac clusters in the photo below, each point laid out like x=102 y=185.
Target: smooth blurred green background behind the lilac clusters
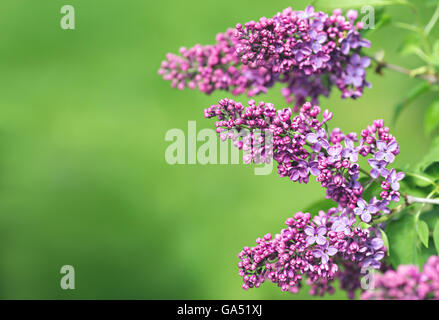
x=83 y=178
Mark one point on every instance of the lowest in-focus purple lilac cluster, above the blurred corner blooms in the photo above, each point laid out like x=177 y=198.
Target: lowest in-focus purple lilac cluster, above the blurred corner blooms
x=312 y=249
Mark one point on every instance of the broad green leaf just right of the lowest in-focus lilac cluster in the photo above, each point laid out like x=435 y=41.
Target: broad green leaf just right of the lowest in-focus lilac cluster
x=402 y=239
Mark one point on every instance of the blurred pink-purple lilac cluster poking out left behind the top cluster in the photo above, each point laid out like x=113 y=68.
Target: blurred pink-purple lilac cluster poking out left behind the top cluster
x=215 y=67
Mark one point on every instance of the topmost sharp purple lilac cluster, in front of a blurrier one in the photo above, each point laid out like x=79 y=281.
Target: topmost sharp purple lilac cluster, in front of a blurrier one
x=304 y=43
